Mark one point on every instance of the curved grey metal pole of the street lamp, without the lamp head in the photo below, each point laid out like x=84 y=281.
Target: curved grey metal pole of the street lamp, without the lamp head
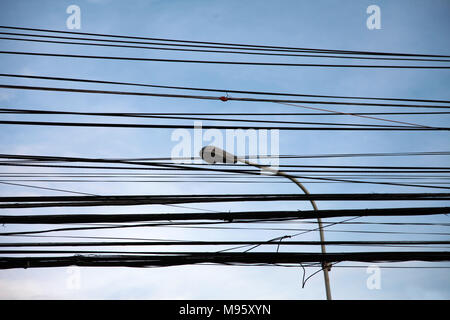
x=325 y=265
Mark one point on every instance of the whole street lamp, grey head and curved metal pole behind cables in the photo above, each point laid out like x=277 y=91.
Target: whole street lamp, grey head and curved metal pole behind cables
x=213 y=155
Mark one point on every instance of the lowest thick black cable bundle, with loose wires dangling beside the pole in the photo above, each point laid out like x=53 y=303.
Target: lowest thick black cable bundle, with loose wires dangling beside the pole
x=184 y=258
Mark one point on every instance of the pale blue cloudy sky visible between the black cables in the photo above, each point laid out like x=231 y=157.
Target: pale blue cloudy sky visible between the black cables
x=406 y=26
